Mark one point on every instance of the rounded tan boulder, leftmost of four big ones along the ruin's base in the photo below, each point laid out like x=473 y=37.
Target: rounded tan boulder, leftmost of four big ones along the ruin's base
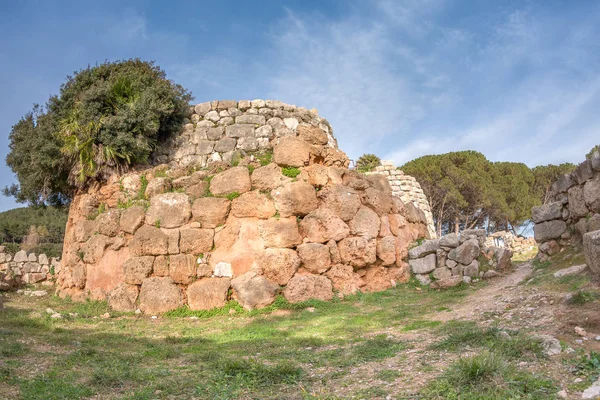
x=159 y=295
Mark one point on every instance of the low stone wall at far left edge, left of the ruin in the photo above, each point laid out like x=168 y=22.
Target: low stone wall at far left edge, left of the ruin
x=24 y=268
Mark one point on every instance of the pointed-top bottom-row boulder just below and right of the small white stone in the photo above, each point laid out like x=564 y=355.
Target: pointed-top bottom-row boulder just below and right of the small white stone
x=254 y=291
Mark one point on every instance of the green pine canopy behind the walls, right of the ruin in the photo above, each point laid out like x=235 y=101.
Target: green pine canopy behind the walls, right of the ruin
x=467 y=190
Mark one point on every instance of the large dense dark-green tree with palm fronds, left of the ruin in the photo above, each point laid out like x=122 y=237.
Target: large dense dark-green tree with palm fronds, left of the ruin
x=104 y=119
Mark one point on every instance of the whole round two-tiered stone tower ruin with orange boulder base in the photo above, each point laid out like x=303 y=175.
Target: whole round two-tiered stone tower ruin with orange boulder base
x=253 y=199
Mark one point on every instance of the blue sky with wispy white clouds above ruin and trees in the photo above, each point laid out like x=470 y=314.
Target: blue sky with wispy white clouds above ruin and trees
x=518 y=81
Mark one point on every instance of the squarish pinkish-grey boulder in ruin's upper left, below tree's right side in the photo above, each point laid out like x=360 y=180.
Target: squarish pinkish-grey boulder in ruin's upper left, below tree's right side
x=169 y=210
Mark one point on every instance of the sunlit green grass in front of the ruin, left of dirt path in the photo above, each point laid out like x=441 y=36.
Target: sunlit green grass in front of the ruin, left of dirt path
x=314 y=346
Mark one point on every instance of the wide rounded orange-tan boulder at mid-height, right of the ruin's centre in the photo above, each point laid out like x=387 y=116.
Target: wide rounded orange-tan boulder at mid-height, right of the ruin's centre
x=323 y=225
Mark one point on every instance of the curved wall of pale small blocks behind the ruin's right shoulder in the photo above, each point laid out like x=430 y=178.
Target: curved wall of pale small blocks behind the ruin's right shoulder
x=408 y=189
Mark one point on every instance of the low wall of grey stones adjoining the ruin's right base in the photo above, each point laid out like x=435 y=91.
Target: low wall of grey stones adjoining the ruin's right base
x=454 y=259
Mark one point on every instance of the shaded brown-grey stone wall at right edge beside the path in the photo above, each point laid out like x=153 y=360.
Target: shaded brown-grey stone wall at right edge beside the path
x=573 y=209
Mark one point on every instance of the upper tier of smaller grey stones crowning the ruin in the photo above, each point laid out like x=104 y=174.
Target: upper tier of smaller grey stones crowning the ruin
x=226 y=130
